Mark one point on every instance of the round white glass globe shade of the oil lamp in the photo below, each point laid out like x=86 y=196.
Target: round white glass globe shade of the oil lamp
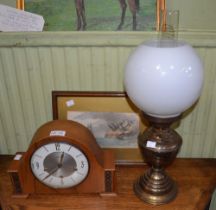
x=164 y=77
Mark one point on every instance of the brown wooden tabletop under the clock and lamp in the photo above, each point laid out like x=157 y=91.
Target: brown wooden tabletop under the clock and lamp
x=196 y=179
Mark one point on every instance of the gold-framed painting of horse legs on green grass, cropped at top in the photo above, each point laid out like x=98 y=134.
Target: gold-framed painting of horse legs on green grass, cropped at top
x=96 y=15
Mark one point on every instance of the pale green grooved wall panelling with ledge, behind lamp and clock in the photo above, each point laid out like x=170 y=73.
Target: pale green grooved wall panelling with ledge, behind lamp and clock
x=34 y=64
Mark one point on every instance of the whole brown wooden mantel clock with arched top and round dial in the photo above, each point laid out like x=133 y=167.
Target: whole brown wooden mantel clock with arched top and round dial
x=63 y=157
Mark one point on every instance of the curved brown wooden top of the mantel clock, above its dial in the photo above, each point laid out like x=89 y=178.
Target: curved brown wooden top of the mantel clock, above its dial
x=69 y=130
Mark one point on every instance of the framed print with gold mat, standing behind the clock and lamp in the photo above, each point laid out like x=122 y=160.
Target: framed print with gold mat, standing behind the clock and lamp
x=111 y=116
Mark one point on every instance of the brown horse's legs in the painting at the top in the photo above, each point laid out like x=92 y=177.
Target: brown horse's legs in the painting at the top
x=81 y=19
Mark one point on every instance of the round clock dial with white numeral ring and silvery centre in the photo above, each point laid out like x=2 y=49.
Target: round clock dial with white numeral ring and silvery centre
x=59 y=165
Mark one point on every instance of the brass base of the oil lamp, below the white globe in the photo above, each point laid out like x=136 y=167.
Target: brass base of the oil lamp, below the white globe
x=159 y=145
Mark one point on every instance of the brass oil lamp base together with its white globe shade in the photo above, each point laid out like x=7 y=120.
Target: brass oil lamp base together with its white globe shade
x=163 y=78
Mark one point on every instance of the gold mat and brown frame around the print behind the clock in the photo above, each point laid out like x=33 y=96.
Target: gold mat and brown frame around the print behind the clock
x=117 y=102
